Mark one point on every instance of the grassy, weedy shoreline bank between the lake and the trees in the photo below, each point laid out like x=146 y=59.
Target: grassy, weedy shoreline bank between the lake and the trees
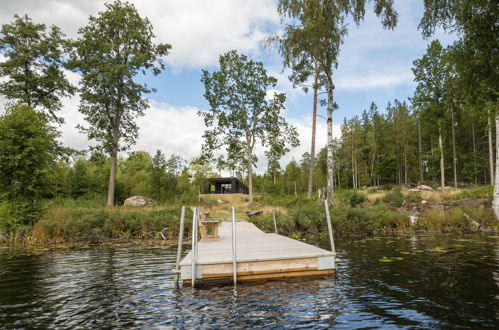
x=355 y=213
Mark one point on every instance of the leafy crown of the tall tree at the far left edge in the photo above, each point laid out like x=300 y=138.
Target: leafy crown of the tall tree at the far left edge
x=33 y=65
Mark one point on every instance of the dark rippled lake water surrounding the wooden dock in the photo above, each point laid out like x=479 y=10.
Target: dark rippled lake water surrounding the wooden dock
x=420 y=281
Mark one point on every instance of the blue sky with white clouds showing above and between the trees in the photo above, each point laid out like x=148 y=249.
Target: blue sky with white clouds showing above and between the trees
x=374 y=65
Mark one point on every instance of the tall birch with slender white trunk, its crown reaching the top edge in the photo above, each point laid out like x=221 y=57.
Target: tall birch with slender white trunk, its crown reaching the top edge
x=321 y=24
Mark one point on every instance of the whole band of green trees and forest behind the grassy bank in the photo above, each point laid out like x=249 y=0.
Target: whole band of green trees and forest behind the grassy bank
x=443 y=135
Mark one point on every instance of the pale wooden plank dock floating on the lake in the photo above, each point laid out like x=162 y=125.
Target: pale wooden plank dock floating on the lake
x=259 y=256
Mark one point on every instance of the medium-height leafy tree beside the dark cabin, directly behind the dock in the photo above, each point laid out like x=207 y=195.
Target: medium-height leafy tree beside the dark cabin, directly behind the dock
x=241 y=111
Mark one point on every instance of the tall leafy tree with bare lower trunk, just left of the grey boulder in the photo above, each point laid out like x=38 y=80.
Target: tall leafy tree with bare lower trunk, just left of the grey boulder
x=113 y=49
